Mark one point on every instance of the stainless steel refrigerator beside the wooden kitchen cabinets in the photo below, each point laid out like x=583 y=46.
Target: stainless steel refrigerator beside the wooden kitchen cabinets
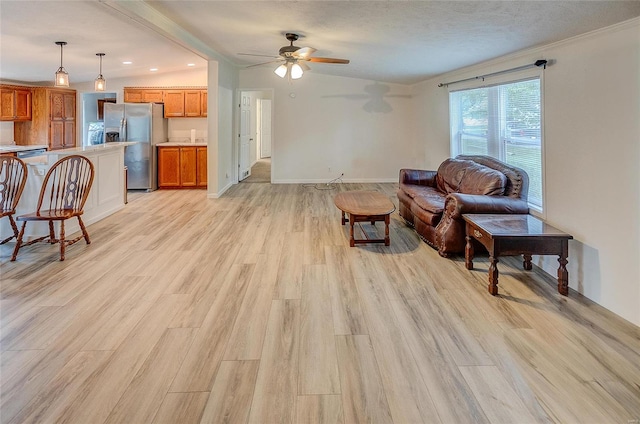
x=141 y=122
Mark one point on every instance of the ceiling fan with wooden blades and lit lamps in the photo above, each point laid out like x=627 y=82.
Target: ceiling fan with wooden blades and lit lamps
x=294 y=59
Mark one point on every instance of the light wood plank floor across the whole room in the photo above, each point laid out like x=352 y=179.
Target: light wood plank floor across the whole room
x=252 y=308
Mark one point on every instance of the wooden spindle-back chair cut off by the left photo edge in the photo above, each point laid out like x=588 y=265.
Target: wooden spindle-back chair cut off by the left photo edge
x=13 y=177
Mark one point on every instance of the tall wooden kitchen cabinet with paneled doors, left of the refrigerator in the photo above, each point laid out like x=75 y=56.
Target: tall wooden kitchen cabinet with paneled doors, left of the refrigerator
x=53 y=119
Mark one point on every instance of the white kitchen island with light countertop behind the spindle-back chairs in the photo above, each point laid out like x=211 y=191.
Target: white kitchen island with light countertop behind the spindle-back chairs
x=107 y=195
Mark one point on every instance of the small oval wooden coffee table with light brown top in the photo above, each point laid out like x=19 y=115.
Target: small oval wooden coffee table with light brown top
x=365 y=206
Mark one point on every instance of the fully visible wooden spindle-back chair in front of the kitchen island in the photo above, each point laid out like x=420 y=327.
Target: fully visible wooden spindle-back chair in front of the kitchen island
x=63 y=194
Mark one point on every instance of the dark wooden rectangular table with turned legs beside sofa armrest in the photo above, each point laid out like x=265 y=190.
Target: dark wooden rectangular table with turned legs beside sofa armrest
x=523 y=235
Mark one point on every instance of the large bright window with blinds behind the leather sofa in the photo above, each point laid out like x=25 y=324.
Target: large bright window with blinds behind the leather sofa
x=503 y=121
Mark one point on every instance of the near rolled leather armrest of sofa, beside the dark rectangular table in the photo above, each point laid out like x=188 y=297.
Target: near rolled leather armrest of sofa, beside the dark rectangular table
x=457 y=204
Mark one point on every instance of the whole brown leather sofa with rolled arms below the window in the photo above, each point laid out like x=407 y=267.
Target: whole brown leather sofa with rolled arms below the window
x=433 y=201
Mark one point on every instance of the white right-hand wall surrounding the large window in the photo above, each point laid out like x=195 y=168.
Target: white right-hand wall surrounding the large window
x=591 y=155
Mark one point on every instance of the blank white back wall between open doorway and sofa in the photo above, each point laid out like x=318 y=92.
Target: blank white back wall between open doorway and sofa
x=345 y=124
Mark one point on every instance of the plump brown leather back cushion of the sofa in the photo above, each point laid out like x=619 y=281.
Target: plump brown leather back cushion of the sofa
x=469 y=177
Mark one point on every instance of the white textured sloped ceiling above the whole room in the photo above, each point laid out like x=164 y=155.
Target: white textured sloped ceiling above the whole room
x=403 y=42
